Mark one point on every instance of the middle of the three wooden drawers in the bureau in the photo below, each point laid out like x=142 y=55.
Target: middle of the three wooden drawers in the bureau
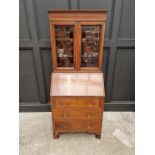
x=78 y=114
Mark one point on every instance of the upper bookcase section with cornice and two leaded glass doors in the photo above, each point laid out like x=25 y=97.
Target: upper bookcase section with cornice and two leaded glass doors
x=77 y=39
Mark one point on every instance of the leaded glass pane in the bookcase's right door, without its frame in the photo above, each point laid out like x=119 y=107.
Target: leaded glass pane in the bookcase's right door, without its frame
x=90 y=45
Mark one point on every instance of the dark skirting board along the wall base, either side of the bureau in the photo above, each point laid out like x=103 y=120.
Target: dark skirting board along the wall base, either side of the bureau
x=111 y=106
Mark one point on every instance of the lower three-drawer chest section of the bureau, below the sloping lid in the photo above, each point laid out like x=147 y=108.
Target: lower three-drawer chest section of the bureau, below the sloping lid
x=77 y=114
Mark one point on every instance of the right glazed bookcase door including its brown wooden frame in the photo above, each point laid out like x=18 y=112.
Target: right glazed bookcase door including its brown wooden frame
x=90 y=49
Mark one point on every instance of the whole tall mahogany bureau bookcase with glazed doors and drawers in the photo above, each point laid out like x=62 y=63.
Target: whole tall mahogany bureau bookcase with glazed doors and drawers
x=77 y=85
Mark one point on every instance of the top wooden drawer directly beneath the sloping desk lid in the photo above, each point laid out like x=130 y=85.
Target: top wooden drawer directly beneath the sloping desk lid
x=74 y=102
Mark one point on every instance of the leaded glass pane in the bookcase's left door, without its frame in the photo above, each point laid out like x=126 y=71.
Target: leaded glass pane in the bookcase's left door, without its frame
x=64 y=45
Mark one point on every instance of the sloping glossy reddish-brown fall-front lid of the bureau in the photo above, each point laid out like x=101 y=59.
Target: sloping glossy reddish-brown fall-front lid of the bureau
x=77 y=84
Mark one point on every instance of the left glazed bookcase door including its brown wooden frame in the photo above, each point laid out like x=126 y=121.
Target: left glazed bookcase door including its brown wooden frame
x=64 y=42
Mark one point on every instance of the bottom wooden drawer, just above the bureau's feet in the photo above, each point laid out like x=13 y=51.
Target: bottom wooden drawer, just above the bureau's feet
x=78 y=125
